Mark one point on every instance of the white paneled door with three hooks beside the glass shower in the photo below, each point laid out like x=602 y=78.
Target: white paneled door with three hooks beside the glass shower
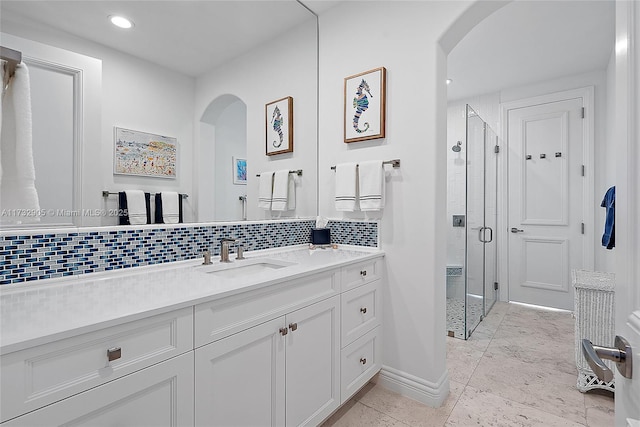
x=545 y=142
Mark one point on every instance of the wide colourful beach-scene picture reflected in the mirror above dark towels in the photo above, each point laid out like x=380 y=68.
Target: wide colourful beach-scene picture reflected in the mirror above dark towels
x=144 y=154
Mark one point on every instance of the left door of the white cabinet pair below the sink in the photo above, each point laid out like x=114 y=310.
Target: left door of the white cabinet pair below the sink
x=240 y=379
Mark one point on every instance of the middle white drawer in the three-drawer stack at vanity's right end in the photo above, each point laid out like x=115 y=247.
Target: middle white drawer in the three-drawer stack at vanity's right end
x=361 y=309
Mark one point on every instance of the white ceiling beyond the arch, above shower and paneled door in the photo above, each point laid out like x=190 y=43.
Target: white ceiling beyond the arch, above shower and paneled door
x=532 y=41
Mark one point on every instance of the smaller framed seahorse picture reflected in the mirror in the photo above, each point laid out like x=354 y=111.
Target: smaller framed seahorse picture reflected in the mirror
x=279 y=126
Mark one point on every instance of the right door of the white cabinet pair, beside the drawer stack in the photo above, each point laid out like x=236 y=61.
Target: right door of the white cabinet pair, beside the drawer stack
x=313 y=370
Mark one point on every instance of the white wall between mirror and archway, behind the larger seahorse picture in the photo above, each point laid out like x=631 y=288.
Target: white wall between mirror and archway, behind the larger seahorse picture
x=403 y=37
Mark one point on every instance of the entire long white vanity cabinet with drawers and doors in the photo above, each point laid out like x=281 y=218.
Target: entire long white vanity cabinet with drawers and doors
x=287 y=352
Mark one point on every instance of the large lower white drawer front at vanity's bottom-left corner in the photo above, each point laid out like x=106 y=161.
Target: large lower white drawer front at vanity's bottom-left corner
x=161 y=395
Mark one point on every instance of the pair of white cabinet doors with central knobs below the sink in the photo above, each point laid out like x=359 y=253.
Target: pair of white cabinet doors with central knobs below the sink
x=281 y=372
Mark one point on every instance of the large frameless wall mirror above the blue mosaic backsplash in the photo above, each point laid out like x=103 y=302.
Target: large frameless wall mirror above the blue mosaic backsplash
x=201 y=72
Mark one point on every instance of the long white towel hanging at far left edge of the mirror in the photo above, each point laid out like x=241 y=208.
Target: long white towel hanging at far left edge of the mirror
x=17 y=171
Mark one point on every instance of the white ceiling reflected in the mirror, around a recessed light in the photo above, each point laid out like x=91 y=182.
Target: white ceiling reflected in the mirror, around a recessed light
x=191 y=37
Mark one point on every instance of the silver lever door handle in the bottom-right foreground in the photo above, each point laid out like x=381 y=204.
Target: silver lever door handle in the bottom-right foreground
x=594 y=355
